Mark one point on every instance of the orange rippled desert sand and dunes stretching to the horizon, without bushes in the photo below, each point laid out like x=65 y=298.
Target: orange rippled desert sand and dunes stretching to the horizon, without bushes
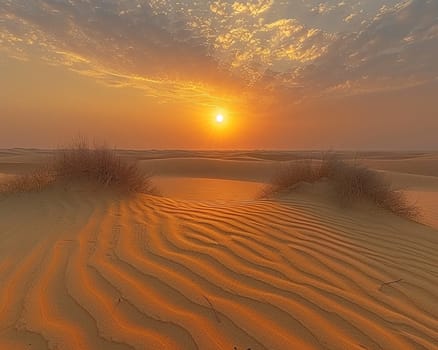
x=207 y=266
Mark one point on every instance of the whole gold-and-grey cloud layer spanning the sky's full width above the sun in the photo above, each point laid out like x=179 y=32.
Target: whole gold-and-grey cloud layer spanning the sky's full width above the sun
x=219 y=51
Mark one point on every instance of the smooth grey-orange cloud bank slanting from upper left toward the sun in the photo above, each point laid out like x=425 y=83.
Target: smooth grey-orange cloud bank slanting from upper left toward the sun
x=122 y=43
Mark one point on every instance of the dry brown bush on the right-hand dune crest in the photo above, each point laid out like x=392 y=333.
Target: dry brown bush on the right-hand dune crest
x=352 y=182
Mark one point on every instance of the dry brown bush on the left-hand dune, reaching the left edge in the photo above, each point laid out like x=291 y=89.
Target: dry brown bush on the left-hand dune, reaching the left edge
x=81 y=163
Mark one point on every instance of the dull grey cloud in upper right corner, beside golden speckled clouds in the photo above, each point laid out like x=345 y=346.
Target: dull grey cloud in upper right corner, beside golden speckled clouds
x=397 y=49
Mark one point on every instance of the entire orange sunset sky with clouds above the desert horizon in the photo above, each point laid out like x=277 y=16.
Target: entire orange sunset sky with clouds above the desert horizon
x=302 y=74
